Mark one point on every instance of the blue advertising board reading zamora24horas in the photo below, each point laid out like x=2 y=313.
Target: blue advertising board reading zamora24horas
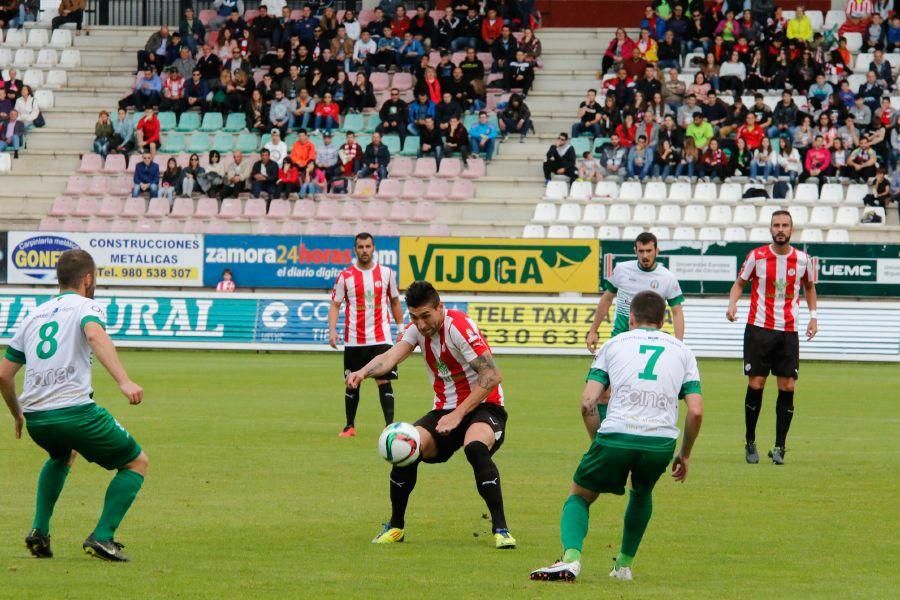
x=281 y=261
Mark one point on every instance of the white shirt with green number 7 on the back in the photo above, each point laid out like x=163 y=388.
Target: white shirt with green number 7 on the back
x=648 y=371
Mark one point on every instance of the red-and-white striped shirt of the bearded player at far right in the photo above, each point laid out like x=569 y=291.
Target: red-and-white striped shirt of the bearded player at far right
x=775 y=292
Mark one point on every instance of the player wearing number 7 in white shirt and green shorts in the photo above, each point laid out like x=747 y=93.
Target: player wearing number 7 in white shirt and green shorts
x=648 y=371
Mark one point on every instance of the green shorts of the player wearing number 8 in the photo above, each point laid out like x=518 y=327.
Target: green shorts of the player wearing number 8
x=88 y=429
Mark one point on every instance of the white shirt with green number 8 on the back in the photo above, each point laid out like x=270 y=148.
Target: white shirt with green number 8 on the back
x=51 y=344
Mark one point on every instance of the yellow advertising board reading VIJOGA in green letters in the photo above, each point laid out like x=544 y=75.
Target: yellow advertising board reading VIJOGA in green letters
x=501 y=265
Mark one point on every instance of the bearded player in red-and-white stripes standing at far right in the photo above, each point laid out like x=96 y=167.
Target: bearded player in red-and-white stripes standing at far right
x=778 y=272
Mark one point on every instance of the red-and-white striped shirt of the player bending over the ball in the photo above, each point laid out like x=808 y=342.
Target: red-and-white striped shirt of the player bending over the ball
x=448 y=356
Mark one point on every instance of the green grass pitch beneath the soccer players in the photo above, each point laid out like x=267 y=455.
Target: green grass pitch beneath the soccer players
x=251 y=493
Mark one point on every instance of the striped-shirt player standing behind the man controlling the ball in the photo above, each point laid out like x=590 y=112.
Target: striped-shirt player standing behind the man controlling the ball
x=369 y=294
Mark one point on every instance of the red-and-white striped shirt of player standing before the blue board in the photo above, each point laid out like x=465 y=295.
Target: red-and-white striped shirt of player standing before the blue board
x=366 y=295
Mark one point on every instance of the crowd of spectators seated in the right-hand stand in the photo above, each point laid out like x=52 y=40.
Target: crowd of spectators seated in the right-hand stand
x=648 y=121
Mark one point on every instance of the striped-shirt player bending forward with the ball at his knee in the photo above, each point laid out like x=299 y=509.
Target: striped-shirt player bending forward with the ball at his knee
x=468 y=408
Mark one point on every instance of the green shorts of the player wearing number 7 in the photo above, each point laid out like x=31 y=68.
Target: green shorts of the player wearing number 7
x=606 y=465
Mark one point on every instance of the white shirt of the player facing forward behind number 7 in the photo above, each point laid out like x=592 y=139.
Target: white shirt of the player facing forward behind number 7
x=628 y=279
